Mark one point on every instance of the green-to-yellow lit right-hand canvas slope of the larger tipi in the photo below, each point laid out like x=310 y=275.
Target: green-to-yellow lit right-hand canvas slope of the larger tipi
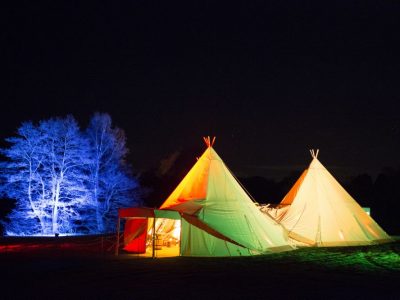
x=229 y=210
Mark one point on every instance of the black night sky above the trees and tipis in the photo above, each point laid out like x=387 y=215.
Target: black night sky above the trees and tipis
x=270 y=79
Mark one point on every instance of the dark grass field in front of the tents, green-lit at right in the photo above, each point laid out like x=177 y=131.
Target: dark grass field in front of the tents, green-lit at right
x=371 y=272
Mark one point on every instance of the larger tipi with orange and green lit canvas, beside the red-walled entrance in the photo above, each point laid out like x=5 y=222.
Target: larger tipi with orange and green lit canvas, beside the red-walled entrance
x=217 y=217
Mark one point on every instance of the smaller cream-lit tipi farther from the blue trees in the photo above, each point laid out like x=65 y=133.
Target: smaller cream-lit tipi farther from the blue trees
x=318 y=211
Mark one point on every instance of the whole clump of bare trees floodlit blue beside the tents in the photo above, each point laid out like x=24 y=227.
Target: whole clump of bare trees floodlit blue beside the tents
x=64 y=180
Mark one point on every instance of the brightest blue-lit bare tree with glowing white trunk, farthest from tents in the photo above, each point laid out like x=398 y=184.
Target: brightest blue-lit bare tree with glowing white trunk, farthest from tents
x=46 y=176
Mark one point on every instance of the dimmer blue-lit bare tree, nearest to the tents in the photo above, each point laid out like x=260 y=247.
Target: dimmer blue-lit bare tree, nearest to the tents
x=111 y=184
